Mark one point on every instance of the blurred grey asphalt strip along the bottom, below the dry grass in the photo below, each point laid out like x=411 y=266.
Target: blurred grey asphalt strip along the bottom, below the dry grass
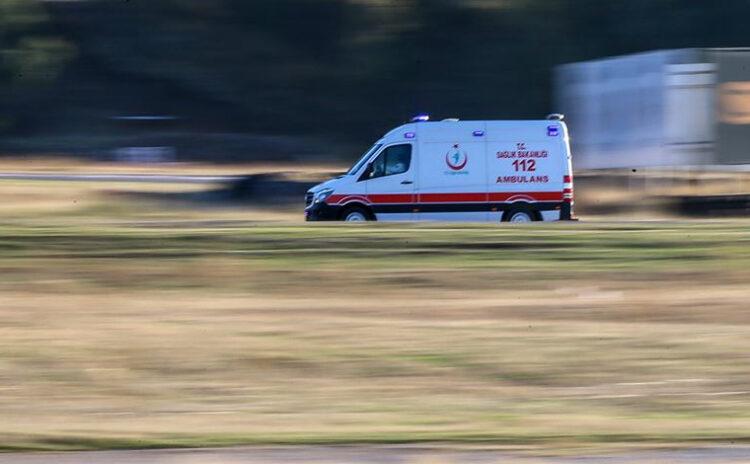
x=373 y=455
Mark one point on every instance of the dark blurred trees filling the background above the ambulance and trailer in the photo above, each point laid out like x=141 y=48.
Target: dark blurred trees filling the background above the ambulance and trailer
x=287 y=78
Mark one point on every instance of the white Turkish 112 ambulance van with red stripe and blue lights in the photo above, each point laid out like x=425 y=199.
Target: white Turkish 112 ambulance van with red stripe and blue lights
x=452 y=170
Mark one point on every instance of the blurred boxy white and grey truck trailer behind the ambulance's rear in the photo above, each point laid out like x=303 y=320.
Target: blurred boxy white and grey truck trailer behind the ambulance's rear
x=686 y=107
